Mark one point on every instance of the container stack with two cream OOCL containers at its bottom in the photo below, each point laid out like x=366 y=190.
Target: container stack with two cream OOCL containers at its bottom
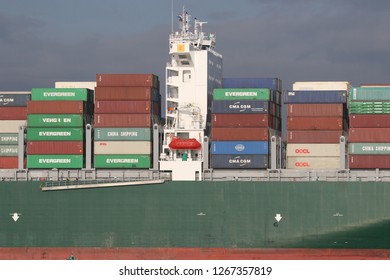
x=316 y=119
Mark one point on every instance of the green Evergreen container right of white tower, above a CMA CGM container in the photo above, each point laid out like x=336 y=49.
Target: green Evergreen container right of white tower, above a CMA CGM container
x=242 y=94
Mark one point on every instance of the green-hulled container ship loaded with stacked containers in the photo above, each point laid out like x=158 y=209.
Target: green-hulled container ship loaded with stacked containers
x=92 y=171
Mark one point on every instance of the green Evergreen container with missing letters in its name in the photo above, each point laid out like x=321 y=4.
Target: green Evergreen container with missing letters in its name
x=56 y=120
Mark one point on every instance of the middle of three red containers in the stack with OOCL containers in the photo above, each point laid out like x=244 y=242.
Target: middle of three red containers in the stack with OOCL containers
x=314 y=123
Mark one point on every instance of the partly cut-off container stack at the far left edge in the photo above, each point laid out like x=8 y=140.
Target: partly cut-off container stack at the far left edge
x=13 y=113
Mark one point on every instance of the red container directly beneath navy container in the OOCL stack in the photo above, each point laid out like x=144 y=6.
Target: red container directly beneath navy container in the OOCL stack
x=314 y=110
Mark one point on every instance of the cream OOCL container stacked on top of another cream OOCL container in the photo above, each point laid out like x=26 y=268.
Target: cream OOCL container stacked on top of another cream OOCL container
x=313 y=150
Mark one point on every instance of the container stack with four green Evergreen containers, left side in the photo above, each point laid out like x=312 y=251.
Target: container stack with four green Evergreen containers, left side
x=56 y=127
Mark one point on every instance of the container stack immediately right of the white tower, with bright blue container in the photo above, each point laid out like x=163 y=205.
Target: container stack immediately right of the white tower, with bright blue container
x=245 y=114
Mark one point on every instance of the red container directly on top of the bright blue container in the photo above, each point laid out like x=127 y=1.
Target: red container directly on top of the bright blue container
x=244 y=134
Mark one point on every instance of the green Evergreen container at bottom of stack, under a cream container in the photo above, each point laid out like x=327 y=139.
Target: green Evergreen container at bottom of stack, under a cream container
x=122 y=161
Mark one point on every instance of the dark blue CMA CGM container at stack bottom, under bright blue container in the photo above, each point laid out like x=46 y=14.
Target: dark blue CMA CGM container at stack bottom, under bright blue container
x=239 y=161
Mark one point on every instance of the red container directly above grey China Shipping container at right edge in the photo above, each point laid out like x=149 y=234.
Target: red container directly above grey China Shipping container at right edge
x=369 y=135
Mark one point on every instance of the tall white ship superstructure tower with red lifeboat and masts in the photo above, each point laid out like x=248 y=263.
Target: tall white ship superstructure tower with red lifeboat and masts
x=194 y=71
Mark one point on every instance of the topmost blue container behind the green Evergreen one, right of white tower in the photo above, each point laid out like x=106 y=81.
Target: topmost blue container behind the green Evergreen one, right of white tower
x=271 y=83
